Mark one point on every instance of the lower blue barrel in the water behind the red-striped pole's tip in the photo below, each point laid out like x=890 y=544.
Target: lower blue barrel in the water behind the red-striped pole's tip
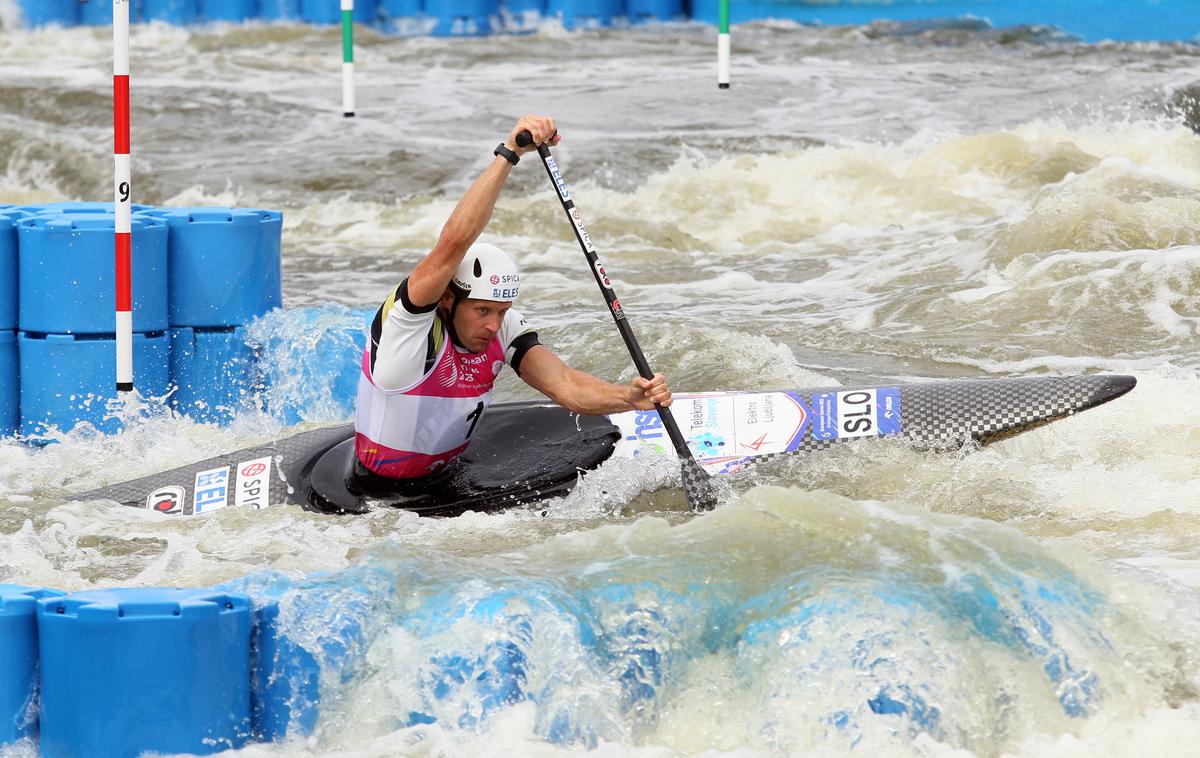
x=67 y=380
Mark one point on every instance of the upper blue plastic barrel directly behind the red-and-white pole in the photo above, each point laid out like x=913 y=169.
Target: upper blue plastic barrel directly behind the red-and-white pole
x=67 y=284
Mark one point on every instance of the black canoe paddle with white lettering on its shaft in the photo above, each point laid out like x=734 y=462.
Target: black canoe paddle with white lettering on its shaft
x=698 y=486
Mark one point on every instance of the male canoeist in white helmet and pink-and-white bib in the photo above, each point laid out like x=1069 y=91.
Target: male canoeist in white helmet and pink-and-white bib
x=442 y=338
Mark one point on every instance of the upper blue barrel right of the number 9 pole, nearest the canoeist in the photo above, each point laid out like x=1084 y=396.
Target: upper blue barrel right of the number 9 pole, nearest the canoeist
x=224 y=263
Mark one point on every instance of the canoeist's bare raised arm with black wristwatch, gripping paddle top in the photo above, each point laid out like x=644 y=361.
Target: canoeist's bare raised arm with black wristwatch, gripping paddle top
x=431 y=276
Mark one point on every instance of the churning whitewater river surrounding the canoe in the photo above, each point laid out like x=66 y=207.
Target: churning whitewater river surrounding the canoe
x=860 y=207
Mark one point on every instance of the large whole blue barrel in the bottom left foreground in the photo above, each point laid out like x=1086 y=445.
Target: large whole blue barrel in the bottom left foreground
x=133 y=671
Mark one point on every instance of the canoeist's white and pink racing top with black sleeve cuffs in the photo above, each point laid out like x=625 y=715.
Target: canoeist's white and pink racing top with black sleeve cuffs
x=421 y=396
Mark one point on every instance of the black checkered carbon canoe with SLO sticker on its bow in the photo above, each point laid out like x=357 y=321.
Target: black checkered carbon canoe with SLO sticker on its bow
x=535 y=450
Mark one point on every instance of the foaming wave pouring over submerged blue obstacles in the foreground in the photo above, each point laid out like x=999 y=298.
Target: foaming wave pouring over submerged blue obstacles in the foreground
x=785 y=622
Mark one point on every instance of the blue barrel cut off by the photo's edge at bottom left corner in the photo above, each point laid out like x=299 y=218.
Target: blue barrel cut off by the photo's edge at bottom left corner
x=19 y=661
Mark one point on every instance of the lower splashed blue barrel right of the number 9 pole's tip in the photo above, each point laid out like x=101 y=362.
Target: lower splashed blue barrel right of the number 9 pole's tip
x=213 y=371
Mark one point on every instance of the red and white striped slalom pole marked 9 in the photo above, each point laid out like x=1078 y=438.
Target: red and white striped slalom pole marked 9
x=122 y=195
